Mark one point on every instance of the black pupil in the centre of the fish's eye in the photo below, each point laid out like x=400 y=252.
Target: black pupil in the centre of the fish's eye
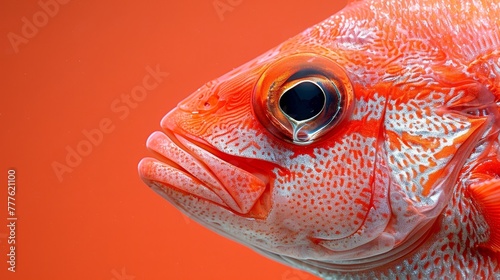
x=303 y=101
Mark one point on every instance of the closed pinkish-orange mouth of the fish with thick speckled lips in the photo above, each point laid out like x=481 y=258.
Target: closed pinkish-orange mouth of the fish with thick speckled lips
x=194 y=167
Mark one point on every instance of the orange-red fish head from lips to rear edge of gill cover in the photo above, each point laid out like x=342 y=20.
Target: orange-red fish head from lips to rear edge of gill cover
x=328 y=148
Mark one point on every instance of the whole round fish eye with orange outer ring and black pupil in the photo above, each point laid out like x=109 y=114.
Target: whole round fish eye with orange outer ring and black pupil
x=302 y=97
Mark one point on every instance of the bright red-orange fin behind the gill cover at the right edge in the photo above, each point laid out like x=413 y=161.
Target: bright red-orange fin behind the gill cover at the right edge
x=487 y=197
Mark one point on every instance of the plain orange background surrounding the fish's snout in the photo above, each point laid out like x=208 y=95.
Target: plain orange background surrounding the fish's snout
x=100 y=221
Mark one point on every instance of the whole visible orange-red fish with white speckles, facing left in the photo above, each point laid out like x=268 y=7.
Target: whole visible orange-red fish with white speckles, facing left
x=365 y=147
